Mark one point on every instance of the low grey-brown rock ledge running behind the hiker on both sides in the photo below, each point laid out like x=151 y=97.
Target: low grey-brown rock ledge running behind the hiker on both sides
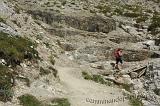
x=104 y=53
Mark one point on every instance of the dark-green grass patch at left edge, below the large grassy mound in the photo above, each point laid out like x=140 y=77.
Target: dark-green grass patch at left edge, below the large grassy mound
x=6 y=83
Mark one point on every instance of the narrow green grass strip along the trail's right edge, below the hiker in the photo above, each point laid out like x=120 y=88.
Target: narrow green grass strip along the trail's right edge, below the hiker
x=96 y=78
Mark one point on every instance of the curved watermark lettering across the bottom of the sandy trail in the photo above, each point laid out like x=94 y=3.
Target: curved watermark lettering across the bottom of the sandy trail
x=115 y=100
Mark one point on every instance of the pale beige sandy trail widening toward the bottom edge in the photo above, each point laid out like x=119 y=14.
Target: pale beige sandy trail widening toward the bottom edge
x=83 y=92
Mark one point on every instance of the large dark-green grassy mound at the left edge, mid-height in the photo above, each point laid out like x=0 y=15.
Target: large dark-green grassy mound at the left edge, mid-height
x=14 y=49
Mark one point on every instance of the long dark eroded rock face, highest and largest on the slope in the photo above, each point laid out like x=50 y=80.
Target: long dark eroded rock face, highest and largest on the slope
x=91 y=23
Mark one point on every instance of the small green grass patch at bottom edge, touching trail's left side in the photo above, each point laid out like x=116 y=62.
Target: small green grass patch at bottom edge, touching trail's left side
x=60 y=102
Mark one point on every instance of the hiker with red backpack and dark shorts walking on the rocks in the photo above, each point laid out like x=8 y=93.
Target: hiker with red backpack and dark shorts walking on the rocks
x=118 y=56
